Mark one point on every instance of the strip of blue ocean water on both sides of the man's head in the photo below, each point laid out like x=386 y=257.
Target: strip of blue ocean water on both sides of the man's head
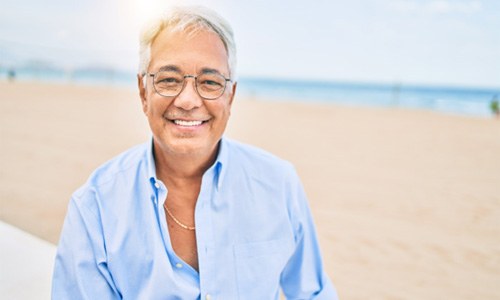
x=448 y=100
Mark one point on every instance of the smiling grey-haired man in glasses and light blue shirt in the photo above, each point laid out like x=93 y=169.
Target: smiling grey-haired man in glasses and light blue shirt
x=190 y=214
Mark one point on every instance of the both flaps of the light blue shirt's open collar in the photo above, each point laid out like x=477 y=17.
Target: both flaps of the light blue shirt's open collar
x=219 y=166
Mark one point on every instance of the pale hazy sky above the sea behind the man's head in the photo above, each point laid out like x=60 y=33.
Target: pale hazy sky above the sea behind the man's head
x=425 y=42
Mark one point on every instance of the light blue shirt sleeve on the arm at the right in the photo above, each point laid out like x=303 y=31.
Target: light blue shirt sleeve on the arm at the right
x=304 y=276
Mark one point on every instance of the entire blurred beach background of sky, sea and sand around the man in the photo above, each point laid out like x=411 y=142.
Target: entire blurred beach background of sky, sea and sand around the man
x=387 y=108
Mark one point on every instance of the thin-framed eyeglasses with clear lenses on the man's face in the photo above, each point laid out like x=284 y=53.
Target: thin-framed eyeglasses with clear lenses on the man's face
x=209 y=85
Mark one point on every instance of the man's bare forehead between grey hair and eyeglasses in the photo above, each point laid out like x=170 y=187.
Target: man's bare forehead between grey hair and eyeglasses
x=189 y=51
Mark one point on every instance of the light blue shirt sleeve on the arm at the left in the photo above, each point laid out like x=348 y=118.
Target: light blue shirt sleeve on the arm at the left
x=80 y=270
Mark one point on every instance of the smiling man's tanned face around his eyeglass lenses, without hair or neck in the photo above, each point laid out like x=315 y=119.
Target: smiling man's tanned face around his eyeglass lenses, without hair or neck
x=186 y=123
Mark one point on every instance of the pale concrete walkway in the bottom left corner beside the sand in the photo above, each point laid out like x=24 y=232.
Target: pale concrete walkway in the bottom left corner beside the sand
x=26 y=264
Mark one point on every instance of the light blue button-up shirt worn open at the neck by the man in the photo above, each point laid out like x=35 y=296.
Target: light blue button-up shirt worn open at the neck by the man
x=254 y=233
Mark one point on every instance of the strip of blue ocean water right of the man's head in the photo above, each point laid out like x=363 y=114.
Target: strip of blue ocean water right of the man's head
x=449 y=100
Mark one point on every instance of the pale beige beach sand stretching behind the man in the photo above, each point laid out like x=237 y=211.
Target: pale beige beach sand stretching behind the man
x=406 y=202
